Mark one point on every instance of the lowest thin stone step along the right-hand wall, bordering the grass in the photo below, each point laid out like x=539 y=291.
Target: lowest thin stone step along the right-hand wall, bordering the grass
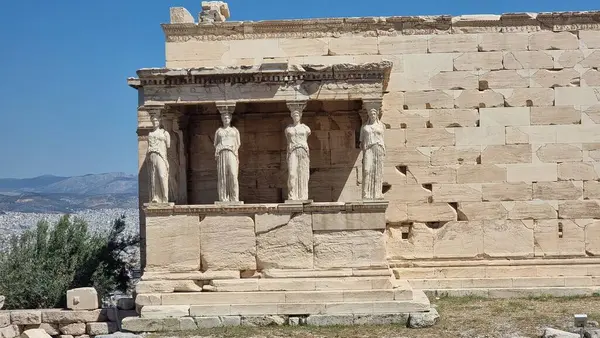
x=515 y=292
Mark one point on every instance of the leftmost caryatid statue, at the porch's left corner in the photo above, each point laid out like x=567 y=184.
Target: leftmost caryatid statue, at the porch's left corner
x=159 y=141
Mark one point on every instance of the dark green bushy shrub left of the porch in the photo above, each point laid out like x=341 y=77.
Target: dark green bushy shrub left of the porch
x=40 y=265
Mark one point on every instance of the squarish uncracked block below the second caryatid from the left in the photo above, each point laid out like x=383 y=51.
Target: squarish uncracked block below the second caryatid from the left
x=228 y=243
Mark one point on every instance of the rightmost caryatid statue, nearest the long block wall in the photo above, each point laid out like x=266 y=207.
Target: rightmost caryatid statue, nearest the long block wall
x=373 y=149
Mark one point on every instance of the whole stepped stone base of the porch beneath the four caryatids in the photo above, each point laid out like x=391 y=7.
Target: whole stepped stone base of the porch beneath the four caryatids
x=290 y=259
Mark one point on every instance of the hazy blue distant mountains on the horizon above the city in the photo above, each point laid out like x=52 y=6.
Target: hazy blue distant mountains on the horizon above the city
x=58 y=194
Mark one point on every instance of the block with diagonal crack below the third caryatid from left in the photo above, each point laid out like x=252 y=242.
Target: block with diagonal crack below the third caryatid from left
x=288 y=246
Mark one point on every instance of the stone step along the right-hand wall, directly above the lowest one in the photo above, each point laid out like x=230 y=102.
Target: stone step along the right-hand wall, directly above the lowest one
x=516 y=282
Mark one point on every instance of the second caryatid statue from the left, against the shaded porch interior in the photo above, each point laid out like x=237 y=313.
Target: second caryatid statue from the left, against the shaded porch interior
x=227 y=144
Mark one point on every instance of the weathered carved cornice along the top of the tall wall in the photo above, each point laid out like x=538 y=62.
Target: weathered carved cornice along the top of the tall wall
x=382 y=26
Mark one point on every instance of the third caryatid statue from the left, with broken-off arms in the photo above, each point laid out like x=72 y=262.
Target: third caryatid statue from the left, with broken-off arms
x=298 y=159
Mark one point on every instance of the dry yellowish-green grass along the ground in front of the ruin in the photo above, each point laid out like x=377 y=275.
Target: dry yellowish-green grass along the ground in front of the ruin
x=460 y=317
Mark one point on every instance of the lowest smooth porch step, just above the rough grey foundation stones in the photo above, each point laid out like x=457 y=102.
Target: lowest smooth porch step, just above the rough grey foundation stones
x=419 y=303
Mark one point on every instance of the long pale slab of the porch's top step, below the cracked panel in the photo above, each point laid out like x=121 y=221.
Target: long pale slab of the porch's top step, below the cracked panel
x=302 y=284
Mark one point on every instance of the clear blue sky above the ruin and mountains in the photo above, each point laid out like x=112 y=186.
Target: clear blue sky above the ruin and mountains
x=65 y=105
